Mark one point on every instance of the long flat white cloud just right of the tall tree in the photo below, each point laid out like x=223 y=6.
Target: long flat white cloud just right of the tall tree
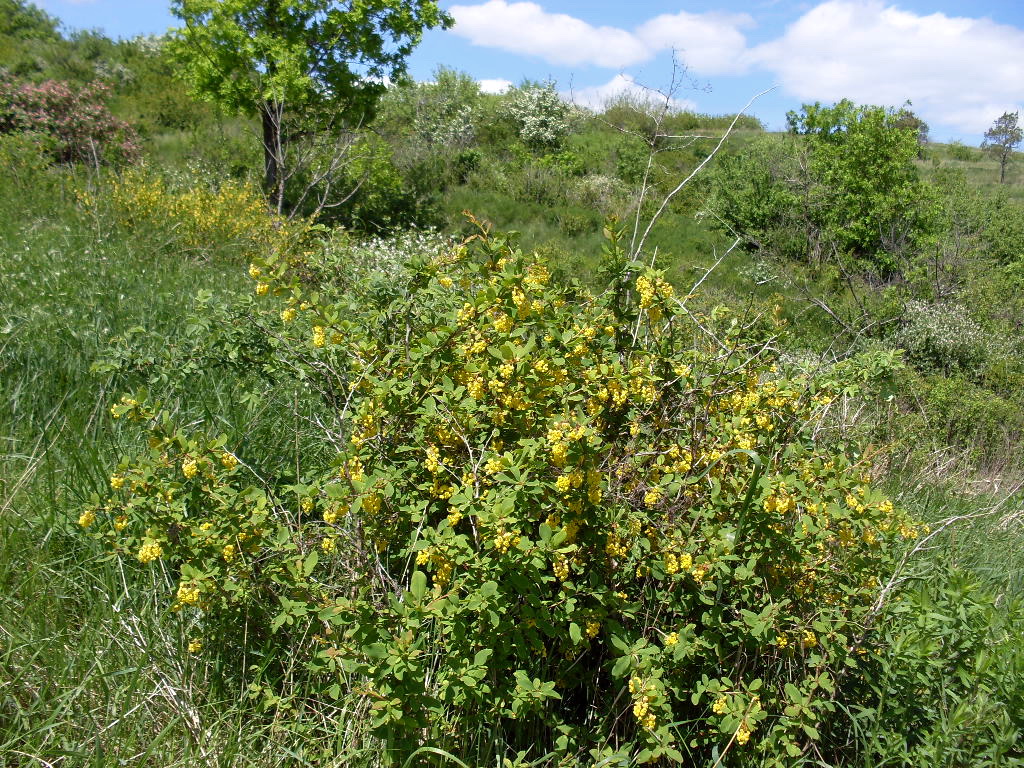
x=558 y=38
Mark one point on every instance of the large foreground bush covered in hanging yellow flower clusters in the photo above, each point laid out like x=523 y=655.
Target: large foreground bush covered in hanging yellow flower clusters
x=548 y=524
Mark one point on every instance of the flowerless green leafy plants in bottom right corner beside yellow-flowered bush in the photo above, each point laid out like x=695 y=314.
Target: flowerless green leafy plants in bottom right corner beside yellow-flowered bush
x=950 y=688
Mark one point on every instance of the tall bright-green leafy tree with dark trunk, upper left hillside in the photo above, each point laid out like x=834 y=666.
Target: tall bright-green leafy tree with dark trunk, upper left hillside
x=313 y=59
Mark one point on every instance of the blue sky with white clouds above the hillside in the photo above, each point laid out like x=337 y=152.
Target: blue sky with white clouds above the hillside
x=961 y=64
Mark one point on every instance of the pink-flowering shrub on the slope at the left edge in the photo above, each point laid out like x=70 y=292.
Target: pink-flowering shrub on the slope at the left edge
x=81 y=127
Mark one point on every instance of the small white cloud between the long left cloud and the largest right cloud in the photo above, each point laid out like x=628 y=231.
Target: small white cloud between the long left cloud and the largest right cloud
x=707 y=44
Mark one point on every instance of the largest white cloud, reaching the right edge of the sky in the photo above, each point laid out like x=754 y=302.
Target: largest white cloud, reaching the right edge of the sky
x=958 y=72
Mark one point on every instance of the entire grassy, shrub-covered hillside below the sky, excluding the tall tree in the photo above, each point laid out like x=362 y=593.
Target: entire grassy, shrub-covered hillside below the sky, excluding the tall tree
x=723 y=473
